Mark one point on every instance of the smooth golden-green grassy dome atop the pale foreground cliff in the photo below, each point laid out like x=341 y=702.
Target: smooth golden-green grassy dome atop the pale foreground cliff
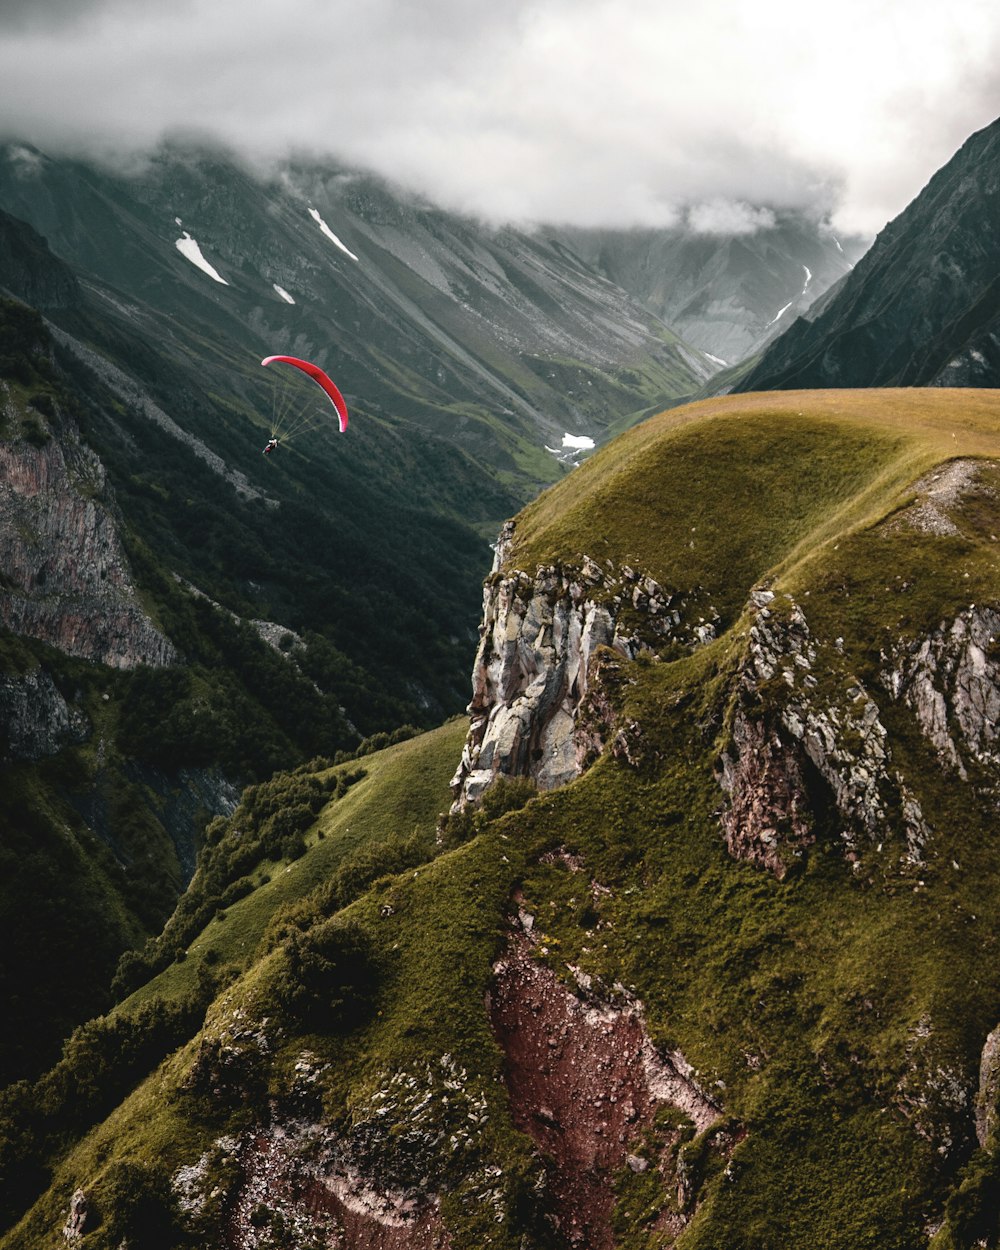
x=727 y=492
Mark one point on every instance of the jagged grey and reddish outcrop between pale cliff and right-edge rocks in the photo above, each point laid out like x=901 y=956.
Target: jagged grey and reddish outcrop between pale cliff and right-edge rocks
x=836 y=731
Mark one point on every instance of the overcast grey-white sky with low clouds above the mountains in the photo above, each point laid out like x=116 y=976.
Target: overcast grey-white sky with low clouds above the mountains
x=591 y=112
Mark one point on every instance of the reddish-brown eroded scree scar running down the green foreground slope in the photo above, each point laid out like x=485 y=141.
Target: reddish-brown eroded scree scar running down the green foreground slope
x=586 y=1083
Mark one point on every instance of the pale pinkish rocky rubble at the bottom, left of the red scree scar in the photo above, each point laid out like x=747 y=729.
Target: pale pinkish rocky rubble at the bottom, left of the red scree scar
x=363 y=1188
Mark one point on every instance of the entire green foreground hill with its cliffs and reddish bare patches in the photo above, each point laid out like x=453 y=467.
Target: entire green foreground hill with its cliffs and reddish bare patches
x=684 y=938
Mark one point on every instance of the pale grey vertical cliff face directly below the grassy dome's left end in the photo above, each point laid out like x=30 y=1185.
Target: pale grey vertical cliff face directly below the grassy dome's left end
x=534 y=667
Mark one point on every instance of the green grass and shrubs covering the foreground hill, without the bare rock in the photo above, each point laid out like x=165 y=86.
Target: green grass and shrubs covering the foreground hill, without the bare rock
x=332 y=959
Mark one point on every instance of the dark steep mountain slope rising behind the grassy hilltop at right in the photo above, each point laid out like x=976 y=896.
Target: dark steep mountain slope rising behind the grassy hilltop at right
x=923 y=306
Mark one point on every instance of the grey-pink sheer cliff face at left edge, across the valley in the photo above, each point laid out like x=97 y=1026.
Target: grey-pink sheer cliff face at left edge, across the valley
x=64 y=577
